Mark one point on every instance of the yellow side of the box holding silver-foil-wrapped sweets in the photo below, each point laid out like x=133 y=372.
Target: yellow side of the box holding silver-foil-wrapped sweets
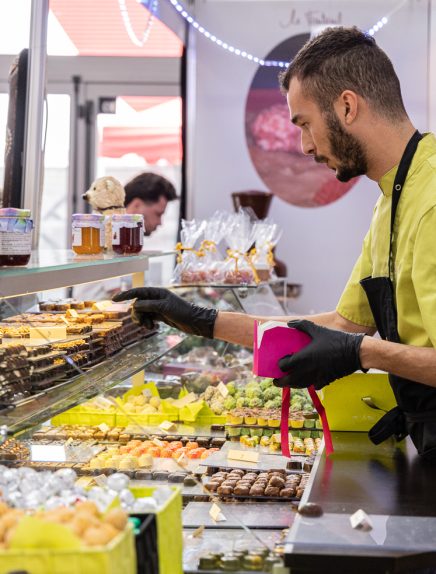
x=169 y=531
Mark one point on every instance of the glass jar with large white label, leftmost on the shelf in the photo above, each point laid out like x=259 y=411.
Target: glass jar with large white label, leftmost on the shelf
x=15 y=236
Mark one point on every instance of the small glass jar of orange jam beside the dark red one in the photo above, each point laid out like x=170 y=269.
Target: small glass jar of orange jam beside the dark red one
x=88 y=233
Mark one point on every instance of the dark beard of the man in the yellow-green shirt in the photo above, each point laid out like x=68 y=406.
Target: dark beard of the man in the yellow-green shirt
x=346 y=148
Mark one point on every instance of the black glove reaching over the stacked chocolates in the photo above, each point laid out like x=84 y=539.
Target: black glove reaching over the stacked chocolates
x=155 y=304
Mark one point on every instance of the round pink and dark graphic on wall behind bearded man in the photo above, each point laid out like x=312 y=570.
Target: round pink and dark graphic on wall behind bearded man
x=274 y=142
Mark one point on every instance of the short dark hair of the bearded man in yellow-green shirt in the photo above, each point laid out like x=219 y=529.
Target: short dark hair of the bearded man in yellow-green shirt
x=341 y=59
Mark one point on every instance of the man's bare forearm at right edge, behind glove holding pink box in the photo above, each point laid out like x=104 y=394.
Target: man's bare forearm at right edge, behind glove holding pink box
x=413 y=363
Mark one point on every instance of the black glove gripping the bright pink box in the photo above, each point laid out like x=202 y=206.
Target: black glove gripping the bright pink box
x=329 y=356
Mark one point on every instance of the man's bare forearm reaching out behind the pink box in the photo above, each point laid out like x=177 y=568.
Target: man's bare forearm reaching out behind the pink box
x=238 y=328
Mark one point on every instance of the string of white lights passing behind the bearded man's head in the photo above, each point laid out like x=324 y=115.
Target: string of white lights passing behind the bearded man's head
x=246 y=55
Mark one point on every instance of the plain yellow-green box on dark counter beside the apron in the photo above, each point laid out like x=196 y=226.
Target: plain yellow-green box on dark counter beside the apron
x=343 y=401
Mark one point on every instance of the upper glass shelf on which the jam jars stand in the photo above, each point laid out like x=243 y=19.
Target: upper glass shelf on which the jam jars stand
x=53 y=269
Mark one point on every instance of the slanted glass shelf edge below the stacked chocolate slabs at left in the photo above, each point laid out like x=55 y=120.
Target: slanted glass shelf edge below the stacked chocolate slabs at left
x=97 y=380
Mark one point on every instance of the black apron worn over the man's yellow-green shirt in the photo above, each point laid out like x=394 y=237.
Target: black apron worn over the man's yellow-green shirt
x=416 y=410
